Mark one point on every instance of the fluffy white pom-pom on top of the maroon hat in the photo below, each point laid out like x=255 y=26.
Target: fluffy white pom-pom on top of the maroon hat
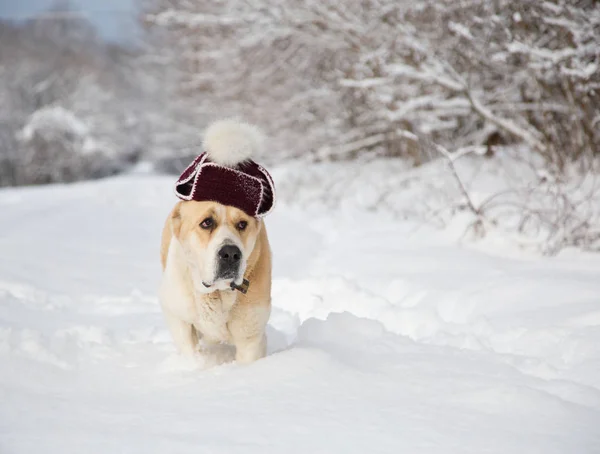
x=230 y=142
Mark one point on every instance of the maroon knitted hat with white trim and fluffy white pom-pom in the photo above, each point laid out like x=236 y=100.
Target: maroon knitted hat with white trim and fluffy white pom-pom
x=225 y=173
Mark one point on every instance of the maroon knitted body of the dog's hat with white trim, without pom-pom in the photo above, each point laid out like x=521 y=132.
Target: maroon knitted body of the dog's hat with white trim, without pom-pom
x=246 y=185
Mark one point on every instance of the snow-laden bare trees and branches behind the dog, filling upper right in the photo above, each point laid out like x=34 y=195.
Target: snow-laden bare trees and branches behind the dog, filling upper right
x=366 y=75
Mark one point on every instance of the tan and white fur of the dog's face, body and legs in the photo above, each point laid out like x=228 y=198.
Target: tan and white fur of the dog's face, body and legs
x=215 y=314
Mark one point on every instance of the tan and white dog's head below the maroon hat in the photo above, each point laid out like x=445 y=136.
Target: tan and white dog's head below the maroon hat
x=217 y=241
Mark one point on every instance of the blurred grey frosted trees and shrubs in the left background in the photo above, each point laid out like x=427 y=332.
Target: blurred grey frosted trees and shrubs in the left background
x=73 y=107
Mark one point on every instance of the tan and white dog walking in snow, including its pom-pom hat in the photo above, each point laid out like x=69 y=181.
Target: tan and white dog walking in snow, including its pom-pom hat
x=215 y=254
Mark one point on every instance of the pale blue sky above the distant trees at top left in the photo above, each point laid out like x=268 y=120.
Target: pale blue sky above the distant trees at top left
x=114 y=19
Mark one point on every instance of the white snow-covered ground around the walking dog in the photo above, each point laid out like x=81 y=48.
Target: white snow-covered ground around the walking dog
x=383 y=339
